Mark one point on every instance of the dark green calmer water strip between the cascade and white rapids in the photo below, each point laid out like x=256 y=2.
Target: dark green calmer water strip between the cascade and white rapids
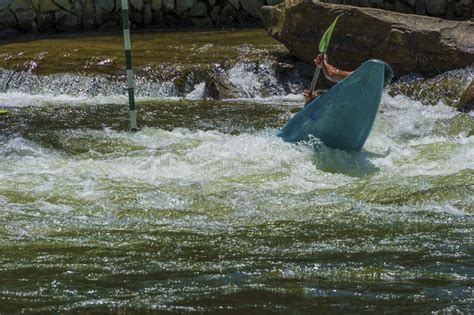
x=46 y=124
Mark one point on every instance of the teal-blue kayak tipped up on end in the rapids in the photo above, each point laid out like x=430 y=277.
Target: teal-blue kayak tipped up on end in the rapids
x=342 y=118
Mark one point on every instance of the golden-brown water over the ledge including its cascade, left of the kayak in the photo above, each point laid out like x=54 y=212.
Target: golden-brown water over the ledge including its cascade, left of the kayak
x=210 y=64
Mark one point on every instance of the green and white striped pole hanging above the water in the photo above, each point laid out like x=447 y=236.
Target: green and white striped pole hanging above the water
x=128 y=60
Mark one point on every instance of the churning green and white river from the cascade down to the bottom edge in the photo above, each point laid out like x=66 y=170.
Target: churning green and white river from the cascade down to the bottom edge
x=206 y=210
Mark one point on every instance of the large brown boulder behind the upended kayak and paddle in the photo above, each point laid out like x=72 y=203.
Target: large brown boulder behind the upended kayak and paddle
x=410 y=43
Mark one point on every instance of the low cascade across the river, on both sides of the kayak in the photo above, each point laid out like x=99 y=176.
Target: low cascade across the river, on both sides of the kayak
x=254 y=74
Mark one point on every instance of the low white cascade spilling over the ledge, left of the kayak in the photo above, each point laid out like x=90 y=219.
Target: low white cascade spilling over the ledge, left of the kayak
x=239 y=79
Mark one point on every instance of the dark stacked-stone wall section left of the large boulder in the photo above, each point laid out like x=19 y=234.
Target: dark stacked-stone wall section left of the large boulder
x=85 y=15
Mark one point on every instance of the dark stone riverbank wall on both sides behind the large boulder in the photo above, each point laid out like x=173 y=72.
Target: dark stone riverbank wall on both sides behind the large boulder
x=56 y=16
